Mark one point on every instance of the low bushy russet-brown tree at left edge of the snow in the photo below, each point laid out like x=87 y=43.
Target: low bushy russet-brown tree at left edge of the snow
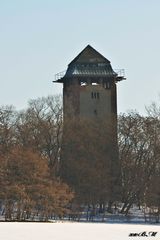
x=28 y=188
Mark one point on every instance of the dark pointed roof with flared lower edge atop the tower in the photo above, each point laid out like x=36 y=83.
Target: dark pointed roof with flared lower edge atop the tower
x=88 y=63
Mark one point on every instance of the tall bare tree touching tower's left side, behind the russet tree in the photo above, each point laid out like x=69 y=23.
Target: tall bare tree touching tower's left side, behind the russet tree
x=40 y=128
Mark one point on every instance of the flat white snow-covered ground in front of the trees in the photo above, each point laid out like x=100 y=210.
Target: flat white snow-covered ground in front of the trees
x=75 y=231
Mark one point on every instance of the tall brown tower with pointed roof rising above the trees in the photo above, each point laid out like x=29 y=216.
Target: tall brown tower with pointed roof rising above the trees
x=89 y=92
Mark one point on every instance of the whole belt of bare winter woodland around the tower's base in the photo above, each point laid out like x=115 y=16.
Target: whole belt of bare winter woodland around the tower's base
x=33 y=183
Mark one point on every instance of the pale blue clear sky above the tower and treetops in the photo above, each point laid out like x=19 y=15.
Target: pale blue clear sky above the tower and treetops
x=39 y=38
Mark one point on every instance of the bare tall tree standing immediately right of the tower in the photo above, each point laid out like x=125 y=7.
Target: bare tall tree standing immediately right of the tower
x=139 y=156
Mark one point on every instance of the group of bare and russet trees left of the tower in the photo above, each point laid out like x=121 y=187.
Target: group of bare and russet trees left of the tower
x=29 y=158
